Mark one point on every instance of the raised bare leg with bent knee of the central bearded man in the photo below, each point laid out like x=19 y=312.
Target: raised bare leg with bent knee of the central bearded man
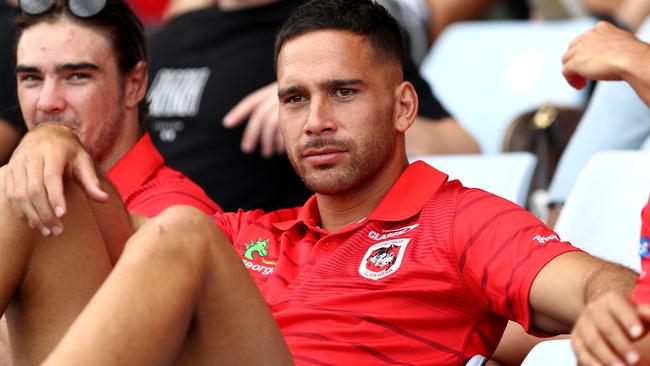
x=179 y=294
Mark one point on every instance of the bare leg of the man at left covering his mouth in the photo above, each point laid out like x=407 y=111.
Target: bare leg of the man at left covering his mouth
x=46 y=282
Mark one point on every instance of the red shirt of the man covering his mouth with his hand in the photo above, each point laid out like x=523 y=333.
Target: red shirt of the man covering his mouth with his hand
x=147 y=186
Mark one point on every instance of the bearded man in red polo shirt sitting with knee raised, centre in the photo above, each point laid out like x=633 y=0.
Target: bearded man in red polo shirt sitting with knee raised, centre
x=388 y=263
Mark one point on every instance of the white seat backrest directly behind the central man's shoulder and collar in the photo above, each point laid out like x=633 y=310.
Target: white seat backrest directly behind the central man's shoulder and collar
x=507 y=175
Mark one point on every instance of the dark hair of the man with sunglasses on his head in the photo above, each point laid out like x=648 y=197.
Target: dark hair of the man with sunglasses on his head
x=117 y=21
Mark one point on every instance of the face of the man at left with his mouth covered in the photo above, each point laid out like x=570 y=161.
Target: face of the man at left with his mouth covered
x=67 y=74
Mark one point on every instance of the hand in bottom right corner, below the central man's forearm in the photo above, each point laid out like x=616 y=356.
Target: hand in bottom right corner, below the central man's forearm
x=605 y=332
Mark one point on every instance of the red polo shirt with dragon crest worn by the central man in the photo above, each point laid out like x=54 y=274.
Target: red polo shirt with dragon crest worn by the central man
x=428 y=278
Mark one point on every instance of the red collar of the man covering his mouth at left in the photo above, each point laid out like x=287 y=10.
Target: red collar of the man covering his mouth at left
x=136 y=167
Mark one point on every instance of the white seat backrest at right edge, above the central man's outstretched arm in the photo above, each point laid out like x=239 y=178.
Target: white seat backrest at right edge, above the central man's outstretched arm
x=602 y=214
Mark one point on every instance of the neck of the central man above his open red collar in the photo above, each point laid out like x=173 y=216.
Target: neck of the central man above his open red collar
x=337 y=211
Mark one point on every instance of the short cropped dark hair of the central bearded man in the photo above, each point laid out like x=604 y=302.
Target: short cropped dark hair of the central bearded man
x=362 y=17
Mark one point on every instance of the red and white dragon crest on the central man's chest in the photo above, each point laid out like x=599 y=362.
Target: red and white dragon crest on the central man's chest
x=383 y=259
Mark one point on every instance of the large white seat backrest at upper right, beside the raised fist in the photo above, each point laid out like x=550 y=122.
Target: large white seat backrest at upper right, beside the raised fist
x=487 y=73
